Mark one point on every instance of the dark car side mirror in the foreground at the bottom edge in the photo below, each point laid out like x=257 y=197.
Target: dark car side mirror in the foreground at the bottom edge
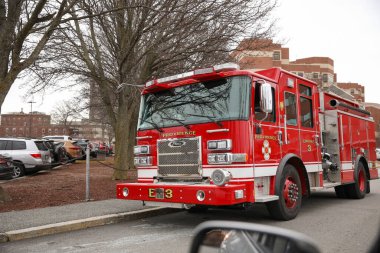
x=241 y=237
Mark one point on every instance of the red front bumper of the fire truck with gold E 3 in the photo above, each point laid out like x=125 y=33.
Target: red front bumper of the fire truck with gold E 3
x=230 y=194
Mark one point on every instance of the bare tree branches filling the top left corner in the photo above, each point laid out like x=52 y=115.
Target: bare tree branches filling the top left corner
x=25 y=28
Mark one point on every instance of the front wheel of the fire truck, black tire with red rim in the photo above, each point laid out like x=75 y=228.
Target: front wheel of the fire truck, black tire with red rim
x=287 y=208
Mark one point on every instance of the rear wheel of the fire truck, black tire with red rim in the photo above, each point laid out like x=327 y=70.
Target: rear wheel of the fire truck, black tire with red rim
x=358 y=189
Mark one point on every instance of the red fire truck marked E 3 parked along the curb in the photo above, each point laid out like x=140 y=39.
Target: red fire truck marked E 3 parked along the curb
x=222 y=136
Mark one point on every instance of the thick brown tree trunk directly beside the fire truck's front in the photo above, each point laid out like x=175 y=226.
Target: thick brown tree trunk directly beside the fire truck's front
x=125 y=137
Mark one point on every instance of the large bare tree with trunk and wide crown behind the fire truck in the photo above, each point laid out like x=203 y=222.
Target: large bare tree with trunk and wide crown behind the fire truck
x=133 y=41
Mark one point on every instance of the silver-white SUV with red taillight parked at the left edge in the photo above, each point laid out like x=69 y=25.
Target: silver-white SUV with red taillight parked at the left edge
x=29 y=155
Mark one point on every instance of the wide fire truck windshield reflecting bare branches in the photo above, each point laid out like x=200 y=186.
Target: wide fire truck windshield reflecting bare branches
x=210 y=101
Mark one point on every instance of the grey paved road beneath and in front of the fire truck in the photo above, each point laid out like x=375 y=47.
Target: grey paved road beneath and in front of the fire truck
x=337 y=225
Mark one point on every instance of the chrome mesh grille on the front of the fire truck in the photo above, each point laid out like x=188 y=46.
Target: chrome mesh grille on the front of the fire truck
x=178 y=157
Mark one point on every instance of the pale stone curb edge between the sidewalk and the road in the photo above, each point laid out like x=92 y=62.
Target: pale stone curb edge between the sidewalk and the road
x=68 y=226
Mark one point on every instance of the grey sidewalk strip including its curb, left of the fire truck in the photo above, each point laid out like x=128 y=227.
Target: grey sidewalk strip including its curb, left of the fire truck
x=18 y=225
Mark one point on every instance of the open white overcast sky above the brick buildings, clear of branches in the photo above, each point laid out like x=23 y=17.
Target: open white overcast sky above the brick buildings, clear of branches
x=348 y=31
